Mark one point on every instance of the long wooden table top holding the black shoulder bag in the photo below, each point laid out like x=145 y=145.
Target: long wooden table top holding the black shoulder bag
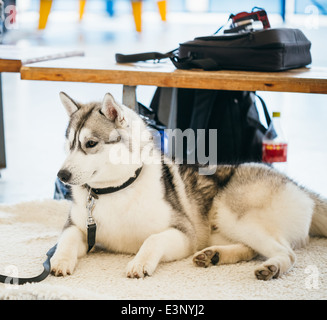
x=99 y=70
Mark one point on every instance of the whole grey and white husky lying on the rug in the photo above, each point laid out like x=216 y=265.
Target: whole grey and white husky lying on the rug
x=162 y=211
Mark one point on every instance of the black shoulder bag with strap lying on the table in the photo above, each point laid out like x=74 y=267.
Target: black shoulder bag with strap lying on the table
x=262 y=50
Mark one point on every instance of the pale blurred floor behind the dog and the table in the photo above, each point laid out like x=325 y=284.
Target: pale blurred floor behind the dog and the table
x=35 y=121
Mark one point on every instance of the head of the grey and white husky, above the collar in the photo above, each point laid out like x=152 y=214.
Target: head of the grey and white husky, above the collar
x=101 y=143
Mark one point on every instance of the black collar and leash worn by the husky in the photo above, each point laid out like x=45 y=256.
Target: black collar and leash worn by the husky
x=91 y=232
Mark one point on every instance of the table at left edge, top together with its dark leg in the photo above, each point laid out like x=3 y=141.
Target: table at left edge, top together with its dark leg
x=12 y=58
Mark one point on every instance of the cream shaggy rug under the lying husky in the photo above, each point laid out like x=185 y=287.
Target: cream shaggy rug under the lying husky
x=28 y=230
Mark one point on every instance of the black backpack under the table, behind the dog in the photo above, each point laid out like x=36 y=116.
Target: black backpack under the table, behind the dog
x=233 y=113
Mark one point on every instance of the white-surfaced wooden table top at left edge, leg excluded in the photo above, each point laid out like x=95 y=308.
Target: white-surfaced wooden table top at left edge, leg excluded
x=13 y=57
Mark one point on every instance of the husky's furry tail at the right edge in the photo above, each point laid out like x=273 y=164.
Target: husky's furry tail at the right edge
x=319 y=218
